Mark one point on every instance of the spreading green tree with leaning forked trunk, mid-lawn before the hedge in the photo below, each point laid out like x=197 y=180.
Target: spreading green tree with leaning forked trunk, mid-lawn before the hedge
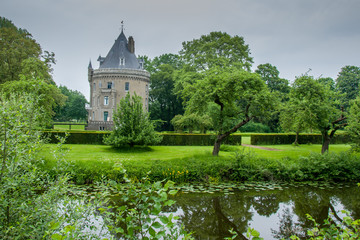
x=239 y=97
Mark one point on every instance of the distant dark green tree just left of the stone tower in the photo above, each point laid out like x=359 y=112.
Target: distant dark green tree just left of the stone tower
x=74 y=107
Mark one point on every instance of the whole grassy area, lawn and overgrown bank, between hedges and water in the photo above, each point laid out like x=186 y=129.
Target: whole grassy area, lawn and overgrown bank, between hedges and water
x=90 y=163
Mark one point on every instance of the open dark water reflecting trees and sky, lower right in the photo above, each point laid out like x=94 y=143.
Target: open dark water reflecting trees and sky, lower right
x=278 y=213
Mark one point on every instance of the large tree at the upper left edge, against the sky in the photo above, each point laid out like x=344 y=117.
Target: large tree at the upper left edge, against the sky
x=25 y=69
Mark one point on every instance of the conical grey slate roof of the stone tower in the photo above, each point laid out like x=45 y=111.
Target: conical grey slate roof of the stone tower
x=120 y=56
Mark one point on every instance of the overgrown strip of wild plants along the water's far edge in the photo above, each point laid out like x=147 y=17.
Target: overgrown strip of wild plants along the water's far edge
x=242 y=166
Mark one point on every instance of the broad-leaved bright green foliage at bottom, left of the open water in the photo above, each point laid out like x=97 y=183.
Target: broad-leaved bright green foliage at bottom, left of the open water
x=139 y=216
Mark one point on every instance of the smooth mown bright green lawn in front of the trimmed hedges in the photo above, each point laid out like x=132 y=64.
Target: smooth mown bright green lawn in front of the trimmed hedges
x=79 y=152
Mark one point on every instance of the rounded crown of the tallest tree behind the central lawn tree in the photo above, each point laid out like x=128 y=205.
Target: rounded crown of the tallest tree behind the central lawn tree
x=216 y=49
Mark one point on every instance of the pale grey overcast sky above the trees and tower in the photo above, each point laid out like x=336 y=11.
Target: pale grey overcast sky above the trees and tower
x=293 y=35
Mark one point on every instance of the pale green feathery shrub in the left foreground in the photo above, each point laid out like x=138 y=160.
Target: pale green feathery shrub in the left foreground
x=29 y=199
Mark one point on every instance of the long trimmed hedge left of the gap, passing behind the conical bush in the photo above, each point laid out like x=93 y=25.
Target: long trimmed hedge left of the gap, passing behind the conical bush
x=86 y=137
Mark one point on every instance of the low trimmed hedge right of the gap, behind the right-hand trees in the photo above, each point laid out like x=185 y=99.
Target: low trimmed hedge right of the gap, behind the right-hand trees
x=276 y=139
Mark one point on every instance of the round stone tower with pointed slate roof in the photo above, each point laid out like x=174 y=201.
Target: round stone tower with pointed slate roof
x=119 y=73
